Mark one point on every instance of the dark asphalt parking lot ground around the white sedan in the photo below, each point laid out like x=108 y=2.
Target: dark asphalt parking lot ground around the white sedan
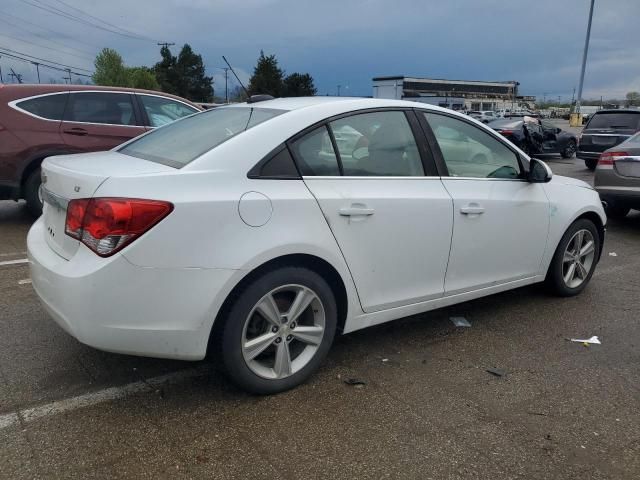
x=429 y=408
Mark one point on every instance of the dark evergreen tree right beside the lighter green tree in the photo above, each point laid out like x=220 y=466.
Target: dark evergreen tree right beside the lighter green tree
x=184 y=75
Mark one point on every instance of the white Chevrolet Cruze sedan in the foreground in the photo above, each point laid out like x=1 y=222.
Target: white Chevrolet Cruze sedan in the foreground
x=257 y=231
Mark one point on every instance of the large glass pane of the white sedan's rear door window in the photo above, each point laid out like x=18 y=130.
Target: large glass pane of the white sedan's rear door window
x=377 y=144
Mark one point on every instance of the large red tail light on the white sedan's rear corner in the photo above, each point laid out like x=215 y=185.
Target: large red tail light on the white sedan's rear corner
x=107 y=225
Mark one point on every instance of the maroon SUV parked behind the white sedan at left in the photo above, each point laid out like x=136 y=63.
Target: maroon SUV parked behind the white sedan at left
x=38 y=121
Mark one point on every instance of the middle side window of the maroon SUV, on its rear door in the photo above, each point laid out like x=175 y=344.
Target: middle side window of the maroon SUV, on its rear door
x=98 y=107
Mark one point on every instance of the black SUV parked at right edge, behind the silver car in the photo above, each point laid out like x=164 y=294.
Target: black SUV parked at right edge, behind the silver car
x=604 y=130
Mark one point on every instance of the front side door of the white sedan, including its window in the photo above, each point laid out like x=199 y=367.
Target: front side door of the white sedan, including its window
x=501 y=221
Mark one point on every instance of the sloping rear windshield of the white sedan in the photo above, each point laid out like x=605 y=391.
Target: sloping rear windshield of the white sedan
x=181 y=142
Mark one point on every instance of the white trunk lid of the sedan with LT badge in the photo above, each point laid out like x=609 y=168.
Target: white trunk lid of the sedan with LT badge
x=68 y=177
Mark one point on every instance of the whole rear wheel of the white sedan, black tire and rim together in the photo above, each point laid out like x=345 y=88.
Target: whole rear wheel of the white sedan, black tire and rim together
x=244 y=326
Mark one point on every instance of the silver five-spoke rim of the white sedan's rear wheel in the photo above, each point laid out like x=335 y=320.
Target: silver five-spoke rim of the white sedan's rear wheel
x=283 y=331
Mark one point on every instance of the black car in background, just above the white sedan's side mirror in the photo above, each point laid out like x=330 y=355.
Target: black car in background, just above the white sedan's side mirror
x=535 y=136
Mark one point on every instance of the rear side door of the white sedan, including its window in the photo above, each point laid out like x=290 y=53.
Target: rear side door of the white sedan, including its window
x=392 y=223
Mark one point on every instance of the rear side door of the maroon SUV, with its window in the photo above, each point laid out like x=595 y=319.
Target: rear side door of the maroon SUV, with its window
x=95 y=121
